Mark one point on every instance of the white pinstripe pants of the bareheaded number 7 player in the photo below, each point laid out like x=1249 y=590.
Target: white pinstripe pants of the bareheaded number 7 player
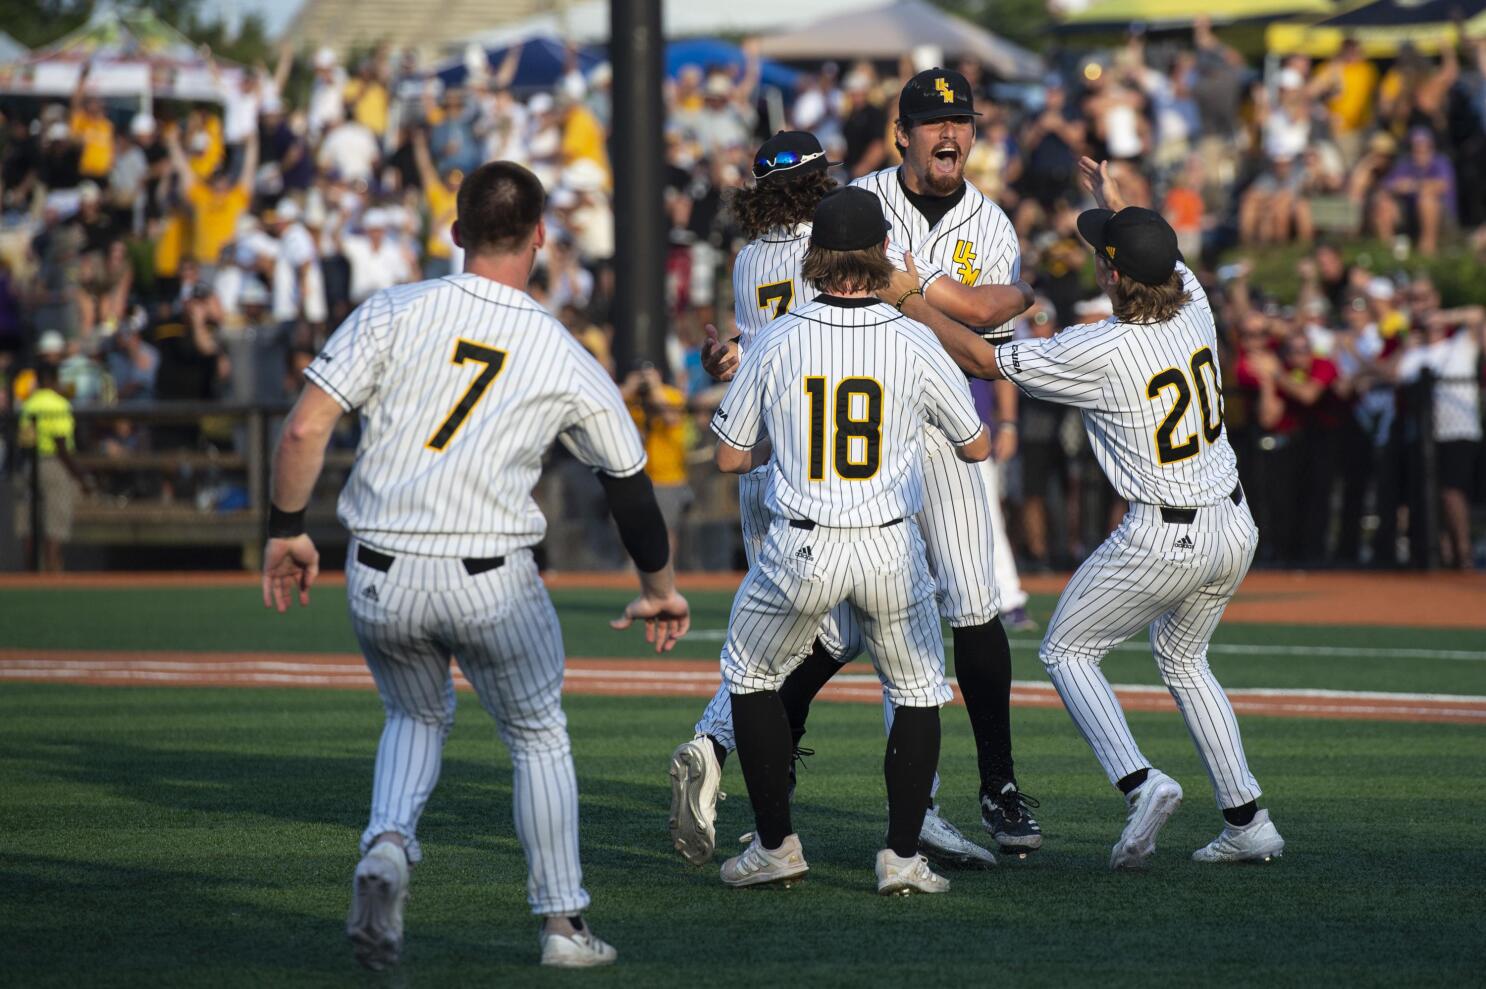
x=503 y=630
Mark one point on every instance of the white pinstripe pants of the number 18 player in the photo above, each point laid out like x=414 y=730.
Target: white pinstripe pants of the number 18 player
x=802 y=574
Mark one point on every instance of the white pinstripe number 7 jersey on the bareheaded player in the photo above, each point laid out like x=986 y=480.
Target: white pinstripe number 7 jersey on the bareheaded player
x=463 y=385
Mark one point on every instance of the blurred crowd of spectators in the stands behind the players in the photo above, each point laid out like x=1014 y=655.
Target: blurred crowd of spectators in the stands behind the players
x=204 y=253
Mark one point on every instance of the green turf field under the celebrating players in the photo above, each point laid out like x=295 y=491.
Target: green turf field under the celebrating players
x=198 y=837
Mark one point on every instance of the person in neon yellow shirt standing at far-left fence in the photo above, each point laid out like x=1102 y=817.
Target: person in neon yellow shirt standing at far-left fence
x=48 y=430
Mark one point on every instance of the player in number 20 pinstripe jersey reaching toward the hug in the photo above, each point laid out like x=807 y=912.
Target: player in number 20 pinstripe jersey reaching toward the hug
x=1149 y=387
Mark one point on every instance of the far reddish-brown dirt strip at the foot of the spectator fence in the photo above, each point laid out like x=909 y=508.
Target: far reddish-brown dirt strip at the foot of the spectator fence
x=1433 y=601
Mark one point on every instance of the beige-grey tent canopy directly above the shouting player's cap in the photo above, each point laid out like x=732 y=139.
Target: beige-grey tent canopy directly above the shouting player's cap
x=889 y=32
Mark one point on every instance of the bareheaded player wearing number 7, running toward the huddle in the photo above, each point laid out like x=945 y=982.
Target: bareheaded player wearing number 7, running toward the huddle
x=463 y=384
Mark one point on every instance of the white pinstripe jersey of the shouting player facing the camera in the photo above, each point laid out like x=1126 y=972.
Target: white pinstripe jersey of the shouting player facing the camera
x=976 y=243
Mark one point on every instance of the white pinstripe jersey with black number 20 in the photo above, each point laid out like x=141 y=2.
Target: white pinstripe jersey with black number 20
x=1152 y=400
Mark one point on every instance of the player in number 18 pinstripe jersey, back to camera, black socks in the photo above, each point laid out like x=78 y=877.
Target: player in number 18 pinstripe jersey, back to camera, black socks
x=837 y=399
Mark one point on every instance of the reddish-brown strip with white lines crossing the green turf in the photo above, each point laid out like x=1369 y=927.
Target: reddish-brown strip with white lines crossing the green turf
x=640 y=678
